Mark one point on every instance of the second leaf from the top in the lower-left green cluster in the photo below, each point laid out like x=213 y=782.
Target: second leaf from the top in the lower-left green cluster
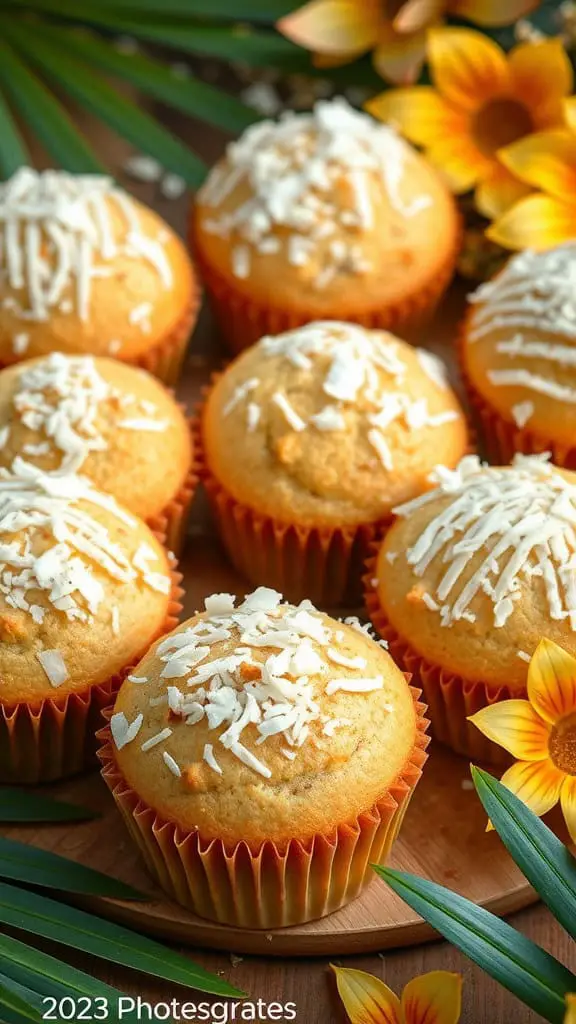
x=22 y=863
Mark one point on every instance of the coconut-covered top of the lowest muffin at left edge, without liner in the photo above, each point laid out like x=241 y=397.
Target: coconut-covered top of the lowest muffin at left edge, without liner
x=85 y=588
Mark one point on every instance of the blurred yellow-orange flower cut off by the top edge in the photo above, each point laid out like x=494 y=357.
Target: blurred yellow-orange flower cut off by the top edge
x=340 y=31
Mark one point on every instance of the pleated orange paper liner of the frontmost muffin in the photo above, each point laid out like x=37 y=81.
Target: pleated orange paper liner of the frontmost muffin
x=267 y=885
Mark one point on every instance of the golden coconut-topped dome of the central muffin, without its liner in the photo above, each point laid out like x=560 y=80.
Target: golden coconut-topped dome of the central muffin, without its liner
x=332 y=424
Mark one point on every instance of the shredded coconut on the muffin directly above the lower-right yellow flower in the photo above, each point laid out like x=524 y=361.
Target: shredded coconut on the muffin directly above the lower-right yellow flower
x=523 y=521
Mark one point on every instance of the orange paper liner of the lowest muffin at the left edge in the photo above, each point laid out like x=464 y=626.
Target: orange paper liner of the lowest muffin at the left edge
x=56 y=739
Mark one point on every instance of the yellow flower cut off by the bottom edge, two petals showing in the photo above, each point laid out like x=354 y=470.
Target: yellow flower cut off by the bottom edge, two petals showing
x=432 y=999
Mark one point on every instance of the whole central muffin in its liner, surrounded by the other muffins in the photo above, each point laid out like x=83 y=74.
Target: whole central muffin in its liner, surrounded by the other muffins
x=310 y=440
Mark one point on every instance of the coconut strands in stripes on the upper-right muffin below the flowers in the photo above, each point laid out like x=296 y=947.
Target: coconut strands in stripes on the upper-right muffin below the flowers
x=534 y=295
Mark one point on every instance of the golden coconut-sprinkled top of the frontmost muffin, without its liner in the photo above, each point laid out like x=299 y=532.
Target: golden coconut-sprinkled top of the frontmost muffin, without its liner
x=264 y=721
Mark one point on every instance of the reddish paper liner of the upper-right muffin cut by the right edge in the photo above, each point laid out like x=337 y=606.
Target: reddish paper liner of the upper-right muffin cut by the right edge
x=503 y=439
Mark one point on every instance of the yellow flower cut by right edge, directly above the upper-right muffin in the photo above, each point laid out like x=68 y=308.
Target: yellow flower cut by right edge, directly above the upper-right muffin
x=548 y=162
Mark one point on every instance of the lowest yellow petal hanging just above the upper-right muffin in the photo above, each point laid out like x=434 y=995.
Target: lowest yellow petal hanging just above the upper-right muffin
x=537 y=223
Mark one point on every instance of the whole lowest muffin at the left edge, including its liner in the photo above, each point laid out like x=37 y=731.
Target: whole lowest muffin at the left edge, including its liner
x=86 y=588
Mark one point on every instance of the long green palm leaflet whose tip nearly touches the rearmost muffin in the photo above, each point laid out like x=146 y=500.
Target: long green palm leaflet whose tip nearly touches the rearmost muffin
x=102 y=100
